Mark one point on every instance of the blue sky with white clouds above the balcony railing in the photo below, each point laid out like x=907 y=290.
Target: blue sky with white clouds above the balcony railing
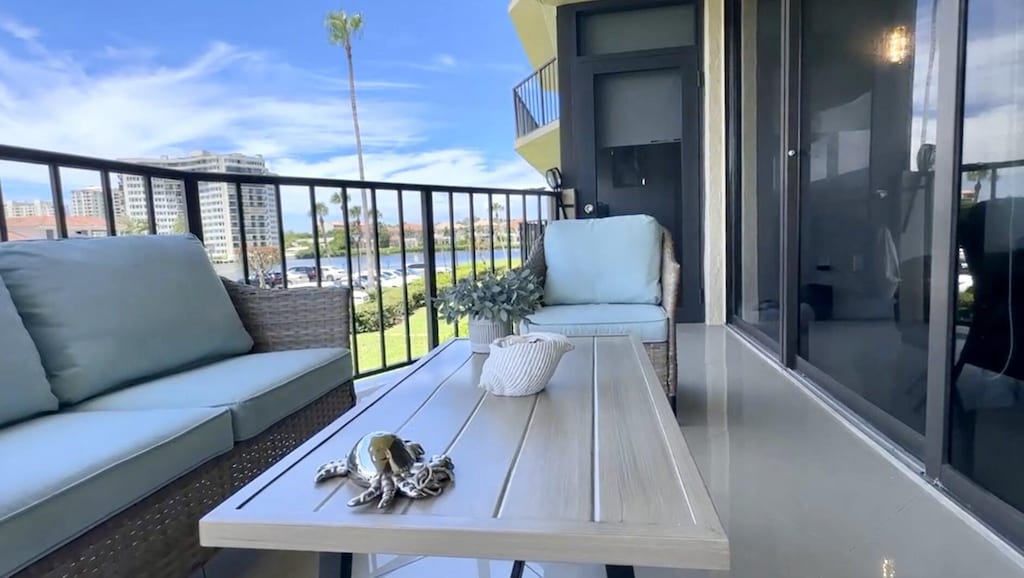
x=119 y=78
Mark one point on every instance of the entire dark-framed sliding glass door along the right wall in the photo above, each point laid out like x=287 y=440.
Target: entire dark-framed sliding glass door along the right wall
x=878 y=222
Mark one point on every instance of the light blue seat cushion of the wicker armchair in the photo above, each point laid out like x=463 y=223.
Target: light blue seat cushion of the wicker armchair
x=650 y=323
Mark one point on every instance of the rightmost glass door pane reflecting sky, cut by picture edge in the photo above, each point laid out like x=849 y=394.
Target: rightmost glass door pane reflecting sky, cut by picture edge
x=988 y=402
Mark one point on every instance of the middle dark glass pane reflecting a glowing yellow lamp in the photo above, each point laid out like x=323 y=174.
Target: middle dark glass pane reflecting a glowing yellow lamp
x=868 y=113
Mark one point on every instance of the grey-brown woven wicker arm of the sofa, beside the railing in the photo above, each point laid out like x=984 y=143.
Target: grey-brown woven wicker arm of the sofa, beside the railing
x=293 y=319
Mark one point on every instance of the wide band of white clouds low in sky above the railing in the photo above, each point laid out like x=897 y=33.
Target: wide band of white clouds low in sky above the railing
x=229 y=100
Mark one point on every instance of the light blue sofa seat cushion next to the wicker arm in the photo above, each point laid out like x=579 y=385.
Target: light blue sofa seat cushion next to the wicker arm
x=259 y=389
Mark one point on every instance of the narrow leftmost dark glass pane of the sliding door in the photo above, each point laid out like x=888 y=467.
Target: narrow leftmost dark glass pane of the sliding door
x=758 y=258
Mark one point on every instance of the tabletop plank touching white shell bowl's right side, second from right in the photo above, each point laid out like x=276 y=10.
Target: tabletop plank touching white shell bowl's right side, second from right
x=554 y=476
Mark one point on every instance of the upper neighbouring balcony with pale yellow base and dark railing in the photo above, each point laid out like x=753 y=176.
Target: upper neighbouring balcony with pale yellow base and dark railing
x=536 y=102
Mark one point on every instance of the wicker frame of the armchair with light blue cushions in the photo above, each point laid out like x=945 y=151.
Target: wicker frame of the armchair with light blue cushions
x=663 y=356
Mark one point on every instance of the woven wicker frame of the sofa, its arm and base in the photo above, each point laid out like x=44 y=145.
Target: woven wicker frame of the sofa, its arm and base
x=159 y=535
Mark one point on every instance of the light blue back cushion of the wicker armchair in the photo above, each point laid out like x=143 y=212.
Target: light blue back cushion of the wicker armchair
x=607 y=261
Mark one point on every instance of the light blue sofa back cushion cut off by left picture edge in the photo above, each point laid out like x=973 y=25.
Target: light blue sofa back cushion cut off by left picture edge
x=24 y=389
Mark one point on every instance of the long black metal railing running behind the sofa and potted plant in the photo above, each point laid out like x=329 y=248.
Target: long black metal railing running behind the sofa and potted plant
x=396 y=251
